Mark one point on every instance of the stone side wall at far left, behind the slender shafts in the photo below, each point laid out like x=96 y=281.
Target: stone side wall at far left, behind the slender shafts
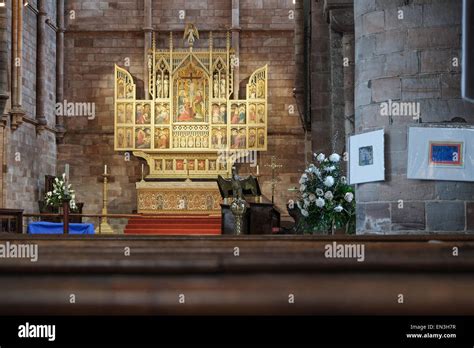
x=30 y=155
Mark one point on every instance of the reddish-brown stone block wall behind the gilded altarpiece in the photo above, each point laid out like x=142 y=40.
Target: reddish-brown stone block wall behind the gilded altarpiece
x=105 y=33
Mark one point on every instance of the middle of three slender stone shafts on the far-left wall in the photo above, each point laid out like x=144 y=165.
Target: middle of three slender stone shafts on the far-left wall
x=41 y=65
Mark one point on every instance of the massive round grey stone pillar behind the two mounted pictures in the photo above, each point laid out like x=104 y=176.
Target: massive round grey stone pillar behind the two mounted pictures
x=405 y=52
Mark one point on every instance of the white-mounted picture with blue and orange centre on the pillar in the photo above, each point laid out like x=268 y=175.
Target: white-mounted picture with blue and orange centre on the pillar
x=440 y=153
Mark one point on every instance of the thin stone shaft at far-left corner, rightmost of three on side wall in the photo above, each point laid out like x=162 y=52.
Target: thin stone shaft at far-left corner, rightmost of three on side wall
x=60 y=129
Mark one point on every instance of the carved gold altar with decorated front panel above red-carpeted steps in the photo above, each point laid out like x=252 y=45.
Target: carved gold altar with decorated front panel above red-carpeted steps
x=178 y=197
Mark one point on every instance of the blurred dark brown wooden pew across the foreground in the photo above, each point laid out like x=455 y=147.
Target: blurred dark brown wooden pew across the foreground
x=260 y=280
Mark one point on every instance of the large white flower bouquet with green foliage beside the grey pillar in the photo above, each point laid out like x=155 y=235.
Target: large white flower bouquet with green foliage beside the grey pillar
x=325 y=199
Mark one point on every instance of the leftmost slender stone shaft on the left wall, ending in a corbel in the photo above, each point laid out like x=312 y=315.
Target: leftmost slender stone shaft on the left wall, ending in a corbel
x=17 y=112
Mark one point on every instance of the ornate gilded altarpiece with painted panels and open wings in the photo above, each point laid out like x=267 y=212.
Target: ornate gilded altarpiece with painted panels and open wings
x=190 y=117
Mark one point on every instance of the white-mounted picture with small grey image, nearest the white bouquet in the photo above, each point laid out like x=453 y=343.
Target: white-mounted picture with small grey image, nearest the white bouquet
x=366 y=157
